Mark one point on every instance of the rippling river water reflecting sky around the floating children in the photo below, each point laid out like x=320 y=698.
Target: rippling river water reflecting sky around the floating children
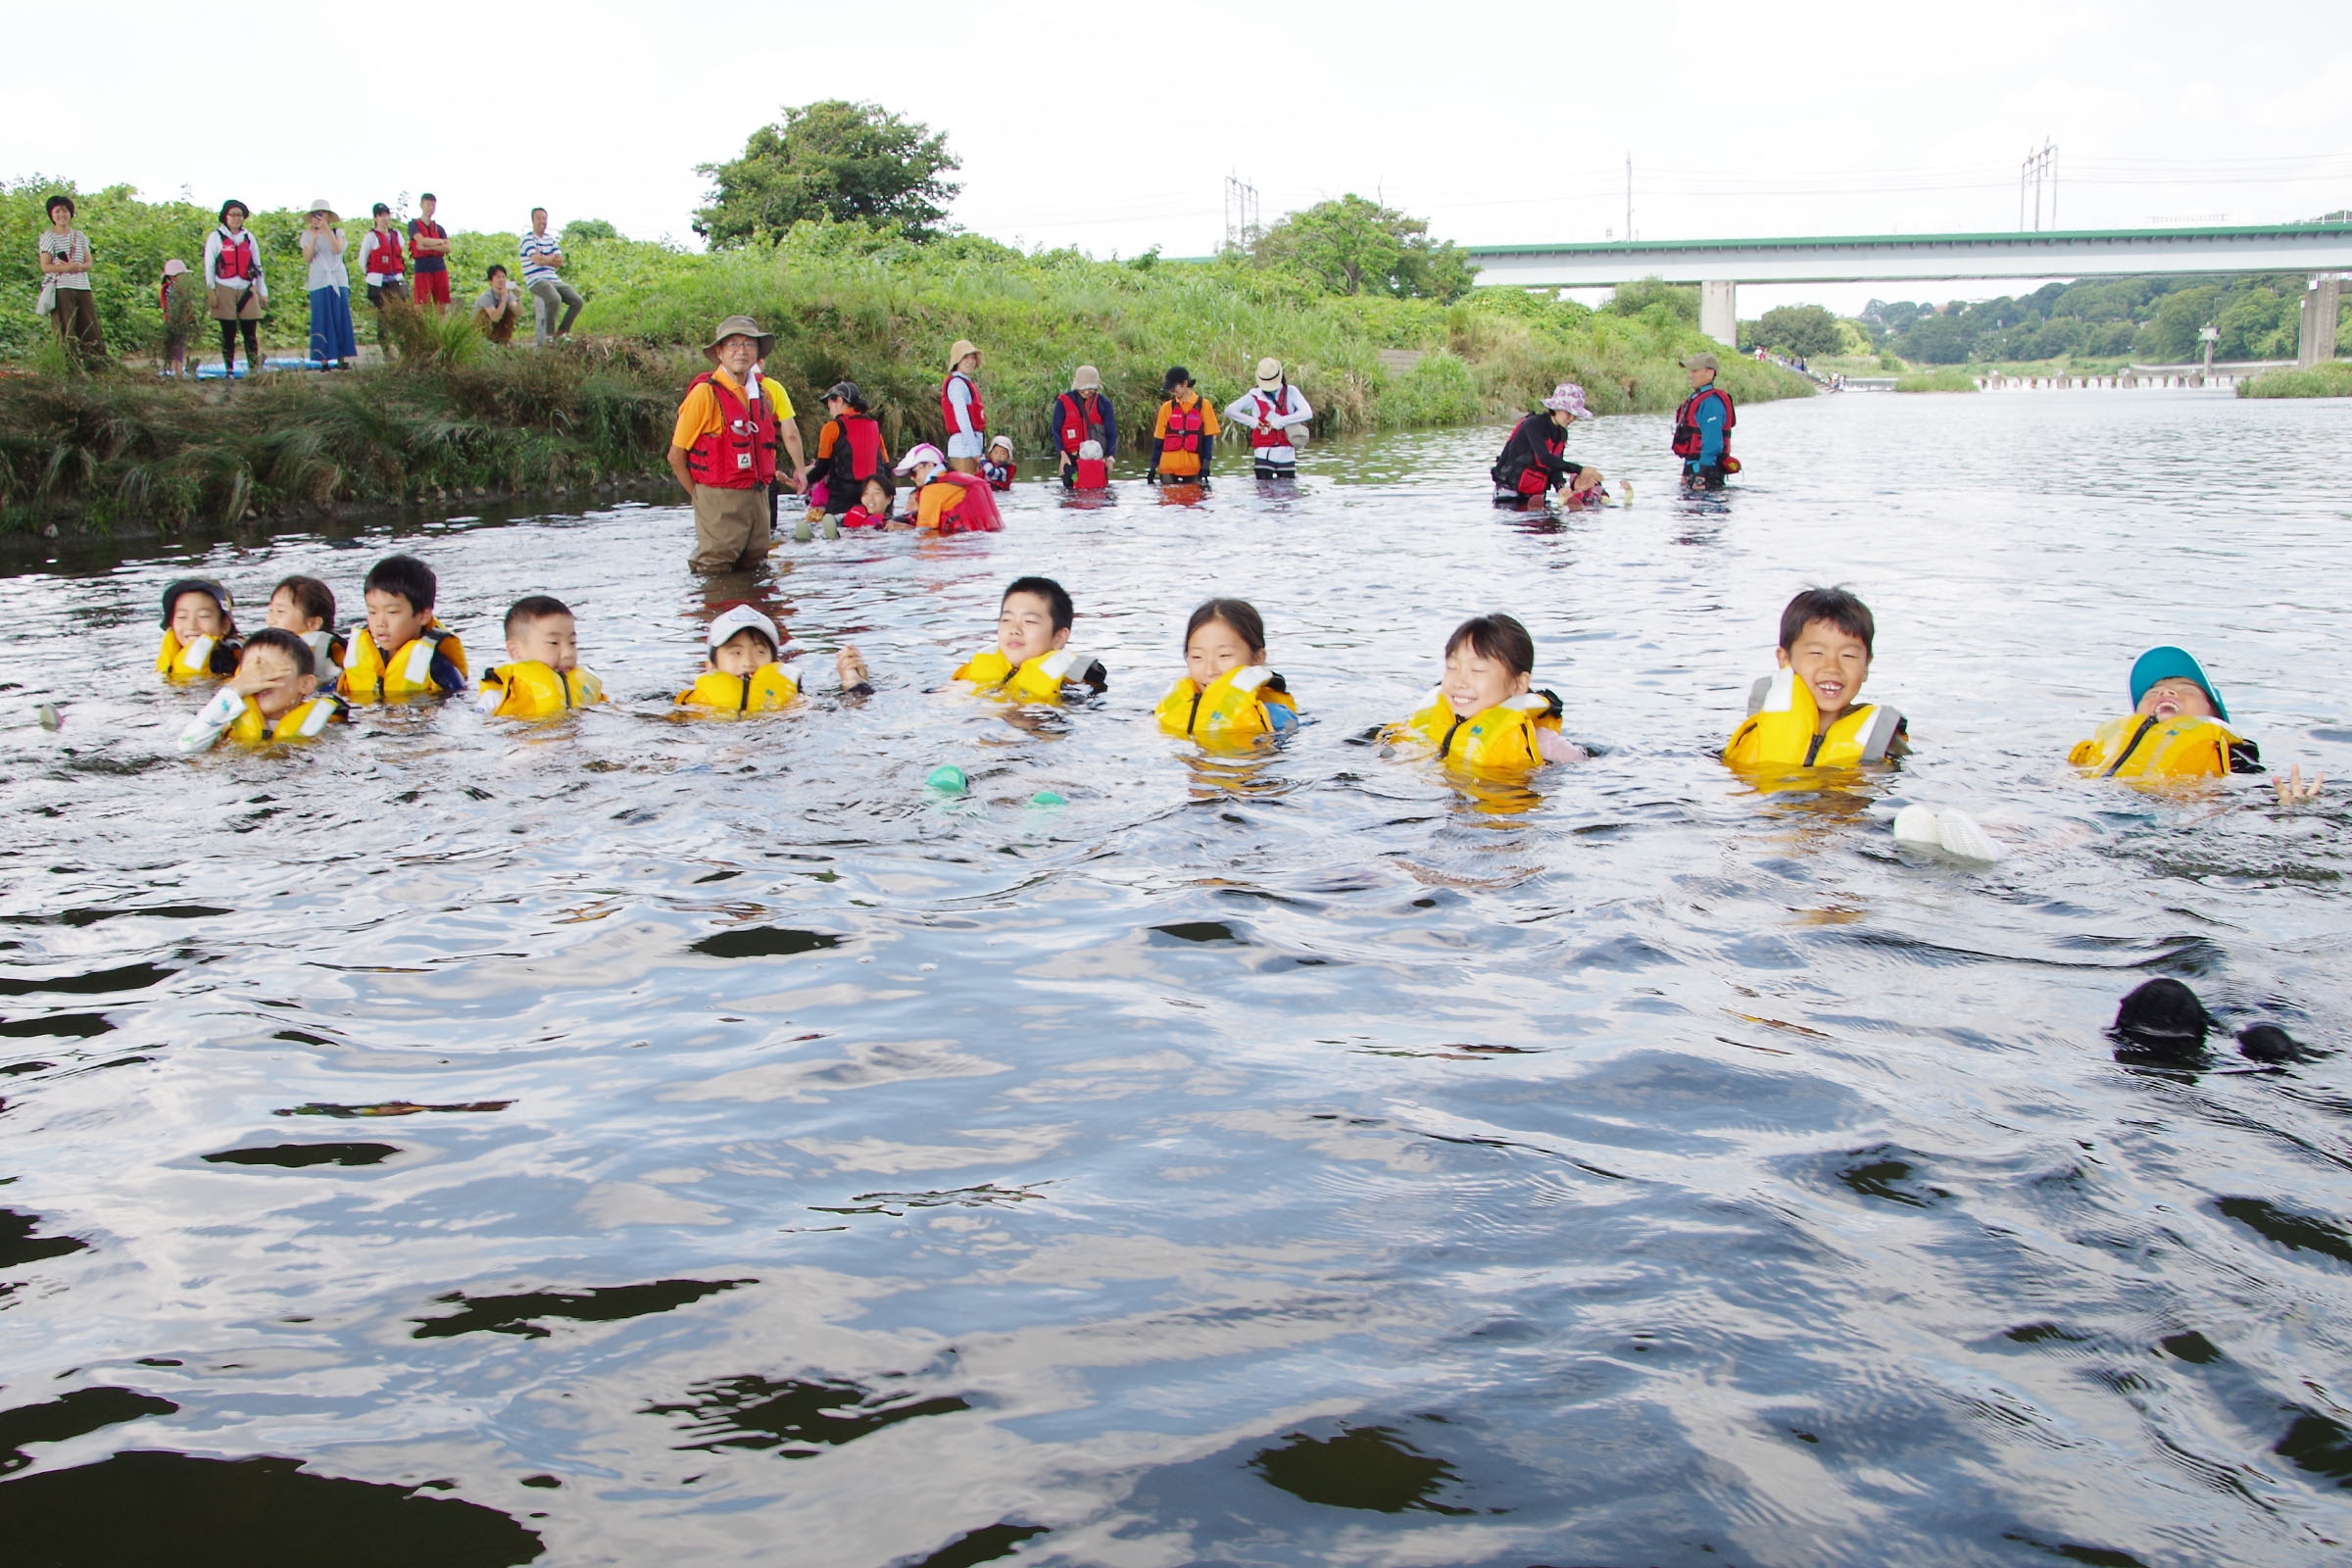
x=679 y=1141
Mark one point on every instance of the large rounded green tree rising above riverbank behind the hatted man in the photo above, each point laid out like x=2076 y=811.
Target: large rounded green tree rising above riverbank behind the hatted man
x=834 y=161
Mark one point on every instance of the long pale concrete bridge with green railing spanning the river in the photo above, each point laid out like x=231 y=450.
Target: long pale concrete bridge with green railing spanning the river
x=1718 y=267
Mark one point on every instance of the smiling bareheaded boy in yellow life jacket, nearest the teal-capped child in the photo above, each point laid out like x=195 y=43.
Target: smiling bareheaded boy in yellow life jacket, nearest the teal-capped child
x=1808 y=716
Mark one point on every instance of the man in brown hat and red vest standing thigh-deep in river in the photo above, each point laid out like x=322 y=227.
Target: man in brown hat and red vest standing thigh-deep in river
x=726 y=448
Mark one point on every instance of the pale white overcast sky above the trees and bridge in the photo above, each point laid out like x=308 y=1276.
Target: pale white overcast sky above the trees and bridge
x=1114 y=128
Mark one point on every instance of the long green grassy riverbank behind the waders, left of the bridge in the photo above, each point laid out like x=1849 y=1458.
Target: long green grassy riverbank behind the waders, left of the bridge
x=455 y=417
